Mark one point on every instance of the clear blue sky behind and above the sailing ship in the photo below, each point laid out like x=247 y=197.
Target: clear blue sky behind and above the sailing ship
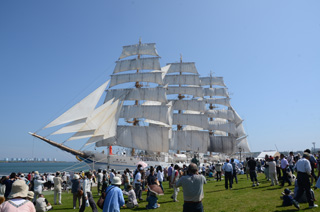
x=55 y=52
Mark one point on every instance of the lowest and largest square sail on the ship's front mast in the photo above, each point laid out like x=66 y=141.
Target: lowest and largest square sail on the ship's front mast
x=149 y=138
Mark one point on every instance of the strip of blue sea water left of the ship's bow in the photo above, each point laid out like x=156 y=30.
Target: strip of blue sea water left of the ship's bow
x=41 y=167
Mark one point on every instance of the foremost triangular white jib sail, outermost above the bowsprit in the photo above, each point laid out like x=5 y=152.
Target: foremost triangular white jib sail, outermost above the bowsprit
x=81 y=110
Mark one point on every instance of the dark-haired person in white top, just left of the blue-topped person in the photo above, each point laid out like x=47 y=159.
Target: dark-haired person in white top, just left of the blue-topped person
x=87 y=194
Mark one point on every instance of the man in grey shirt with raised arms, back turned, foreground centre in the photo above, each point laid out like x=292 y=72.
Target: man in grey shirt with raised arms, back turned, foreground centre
x=192 y=185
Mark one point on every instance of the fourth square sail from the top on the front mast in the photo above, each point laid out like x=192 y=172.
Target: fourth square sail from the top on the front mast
x=152 y=94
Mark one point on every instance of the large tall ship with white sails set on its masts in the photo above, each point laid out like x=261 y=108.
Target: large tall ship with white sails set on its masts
x=157 y=115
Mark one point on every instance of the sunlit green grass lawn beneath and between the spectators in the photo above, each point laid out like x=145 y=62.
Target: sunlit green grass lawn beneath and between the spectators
x=242 y=198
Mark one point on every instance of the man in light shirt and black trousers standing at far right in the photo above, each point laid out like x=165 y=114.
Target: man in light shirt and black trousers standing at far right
x=304 y=172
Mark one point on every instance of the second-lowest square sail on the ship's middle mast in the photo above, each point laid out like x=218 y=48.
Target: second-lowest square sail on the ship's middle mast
x=197 y=120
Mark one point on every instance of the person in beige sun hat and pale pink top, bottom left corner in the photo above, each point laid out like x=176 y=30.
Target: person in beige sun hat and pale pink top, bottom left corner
x=17 y=201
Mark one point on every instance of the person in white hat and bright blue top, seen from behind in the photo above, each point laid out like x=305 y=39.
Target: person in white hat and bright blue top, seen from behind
x=114 y=197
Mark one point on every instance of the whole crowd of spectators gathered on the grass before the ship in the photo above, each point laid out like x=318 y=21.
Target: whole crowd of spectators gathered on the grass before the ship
x=26 y=192
